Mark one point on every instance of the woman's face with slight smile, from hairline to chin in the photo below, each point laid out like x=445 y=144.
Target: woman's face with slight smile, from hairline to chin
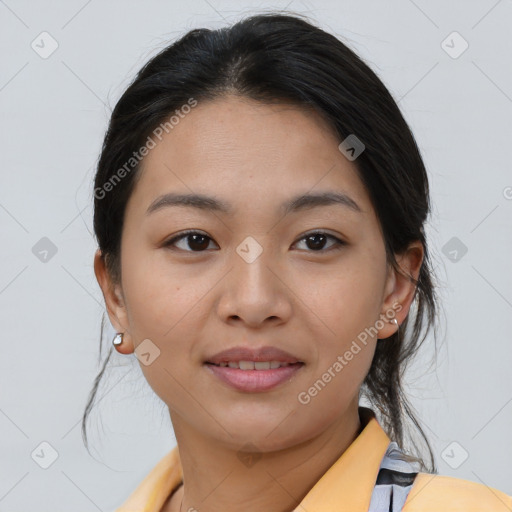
x=251 y=277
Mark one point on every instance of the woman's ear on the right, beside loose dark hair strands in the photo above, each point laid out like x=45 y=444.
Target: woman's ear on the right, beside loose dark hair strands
x=400 y=290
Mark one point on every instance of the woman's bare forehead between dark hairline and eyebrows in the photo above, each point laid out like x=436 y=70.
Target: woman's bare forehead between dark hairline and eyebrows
x=253 y=155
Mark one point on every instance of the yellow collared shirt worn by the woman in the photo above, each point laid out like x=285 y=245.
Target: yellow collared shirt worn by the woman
x=347 y=486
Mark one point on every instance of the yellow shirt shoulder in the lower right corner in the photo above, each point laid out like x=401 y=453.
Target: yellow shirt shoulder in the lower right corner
x=431 y=492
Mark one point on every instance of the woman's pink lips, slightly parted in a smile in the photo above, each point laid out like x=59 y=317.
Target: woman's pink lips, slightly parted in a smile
x=253 y=380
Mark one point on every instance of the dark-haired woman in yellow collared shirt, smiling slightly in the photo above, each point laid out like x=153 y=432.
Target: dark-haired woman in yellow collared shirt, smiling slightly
x=260 y=205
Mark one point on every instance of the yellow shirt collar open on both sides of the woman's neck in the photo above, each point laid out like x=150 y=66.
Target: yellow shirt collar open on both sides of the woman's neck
x=346 y=486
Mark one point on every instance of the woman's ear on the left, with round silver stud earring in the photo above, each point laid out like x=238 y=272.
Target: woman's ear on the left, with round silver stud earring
x=114 y=301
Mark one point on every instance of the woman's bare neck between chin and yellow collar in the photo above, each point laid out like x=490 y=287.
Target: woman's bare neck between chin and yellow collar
x=219 y=476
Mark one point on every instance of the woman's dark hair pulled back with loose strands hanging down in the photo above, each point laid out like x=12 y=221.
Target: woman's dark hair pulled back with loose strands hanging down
x=274 y=58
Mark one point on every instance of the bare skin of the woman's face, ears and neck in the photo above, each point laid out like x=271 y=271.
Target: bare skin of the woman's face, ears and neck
x=192 y=303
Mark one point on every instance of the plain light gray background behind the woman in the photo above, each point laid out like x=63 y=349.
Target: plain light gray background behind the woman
x=53 y=116
